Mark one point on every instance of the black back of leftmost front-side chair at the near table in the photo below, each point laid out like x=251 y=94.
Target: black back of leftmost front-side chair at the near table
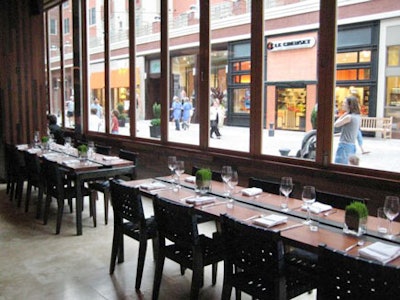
x=127 y=203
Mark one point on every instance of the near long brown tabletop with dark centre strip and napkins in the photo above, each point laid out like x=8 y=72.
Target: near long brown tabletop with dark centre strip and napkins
x=294 y=232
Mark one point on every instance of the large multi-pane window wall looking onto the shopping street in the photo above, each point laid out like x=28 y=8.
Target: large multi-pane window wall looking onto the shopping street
x=264 y=78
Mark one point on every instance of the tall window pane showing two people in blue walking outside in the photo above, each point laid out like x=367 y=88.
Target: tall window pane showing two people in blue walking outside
x=184 y=127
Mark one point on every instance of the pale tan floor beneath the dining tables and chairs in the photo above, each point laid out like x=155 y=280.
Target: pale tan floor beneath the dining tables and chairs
x=37 y=264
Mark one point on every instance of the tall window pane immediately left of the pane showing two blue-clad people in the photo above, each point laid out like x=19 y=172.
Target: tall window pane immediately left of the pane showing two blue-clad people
x=148 y=69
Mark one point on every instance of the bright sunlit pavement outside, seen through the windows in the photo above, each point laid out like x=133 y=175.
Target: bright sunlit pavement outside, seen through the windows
x=383 y=154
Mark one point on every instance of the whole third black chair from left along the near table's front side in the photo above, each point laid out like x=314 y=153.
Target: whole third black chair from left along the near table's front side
x=254 y=263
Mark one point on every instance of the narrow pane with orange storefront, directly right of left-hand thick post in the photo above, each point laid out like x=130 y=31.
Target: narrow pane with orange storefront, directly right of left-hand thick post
x=96 y=66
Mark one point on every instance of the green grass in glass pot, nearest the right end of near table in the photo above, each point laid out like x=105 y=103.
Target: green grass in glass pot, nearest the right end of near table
x=356 y=215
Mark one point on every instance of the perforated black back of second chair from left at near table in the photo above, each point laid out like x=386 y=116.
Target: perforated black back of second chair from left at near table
x=176 y=222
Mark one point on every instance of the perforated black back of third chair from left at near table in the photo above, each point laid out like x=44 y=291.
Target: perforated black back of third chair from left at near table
x=251 y=249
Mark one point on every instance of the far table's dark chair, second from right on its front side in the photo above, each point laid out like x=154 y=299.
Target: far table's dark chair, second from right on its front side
x=35 y=179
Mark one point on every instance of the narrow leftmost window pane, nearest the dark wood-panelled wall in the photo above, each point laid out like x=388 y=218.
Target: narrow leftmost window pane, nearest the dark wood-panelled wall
x=58 y=105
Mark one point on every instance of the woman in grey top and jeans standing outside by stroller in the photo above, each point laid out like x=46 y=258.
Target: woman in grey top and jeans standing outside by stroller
x=349 y=122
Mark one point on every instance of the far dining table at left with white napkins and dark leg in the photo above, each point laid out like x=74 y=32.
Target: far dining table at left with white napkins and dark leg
x=95 y=168
